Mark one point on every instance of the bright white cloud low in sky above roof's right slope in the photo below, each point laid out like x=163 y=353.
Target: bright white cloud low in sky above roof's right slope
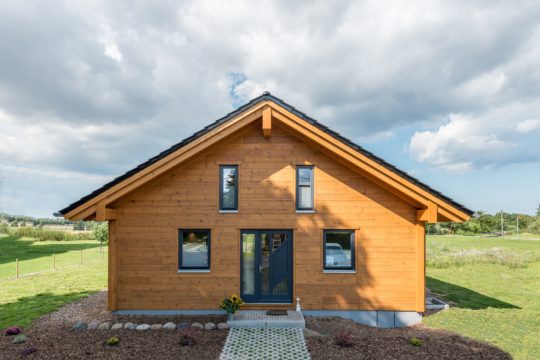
x=491 y=138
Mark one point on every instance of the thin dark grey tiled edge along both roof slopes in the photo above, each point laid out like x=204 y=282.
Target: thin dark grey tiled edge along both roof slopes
x=266 y=96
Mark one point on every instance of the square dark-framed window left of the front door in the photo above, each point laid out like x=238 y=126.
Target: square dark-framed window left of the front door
x=194 y=250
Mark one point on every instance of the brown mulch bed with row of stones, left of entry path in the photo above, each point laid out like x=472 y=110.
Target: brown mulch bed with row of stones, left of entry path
x=53 y=337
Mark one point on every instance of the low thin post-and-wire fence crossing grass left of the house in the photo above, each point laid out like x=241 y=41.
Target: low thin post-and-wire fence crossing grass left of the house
x=24 y=267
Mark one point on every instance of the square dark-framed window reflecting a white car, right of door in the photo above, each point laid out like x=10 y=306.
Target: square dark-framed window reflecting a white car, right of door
x=339 y=250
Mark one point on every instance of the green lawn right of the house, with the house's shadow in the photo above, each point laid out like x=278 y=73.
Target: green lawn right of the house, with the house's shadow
x=493 y=300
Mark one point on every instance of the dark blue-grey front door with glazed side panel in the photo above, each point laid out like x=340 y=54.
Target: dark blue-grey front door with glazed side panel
x=266 y=266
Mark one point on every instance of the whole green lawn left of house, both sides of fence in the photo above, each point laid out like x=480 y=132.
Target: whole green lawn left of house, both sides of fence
x=25 y=299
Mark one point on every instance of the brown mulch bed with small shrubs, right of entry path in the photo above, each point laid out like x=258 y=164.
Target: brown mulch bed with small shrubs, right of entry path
x=373 y=343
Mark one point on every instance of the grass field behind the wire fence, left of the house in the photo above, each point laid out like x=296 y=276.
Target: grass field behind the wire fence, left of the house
x=35 y=256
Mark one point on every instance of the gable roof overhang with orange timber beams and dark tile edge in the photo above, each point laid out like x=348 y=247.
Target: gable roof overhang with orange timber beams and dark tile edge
x=430 y=207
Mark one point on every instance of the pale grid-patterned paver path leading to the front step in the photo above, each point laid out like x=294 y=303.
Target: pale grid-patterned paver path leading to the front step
x=265 y=343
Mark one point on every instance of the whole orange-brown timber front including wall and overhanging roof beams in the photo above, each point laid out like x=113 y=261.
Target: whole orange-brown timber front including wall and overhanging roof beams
x=387 y=214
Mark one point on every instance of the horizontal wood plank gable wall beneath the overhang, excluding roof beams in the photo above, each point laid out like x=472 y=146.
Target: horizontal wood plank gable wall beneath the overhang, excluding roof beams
x=146 y=232
